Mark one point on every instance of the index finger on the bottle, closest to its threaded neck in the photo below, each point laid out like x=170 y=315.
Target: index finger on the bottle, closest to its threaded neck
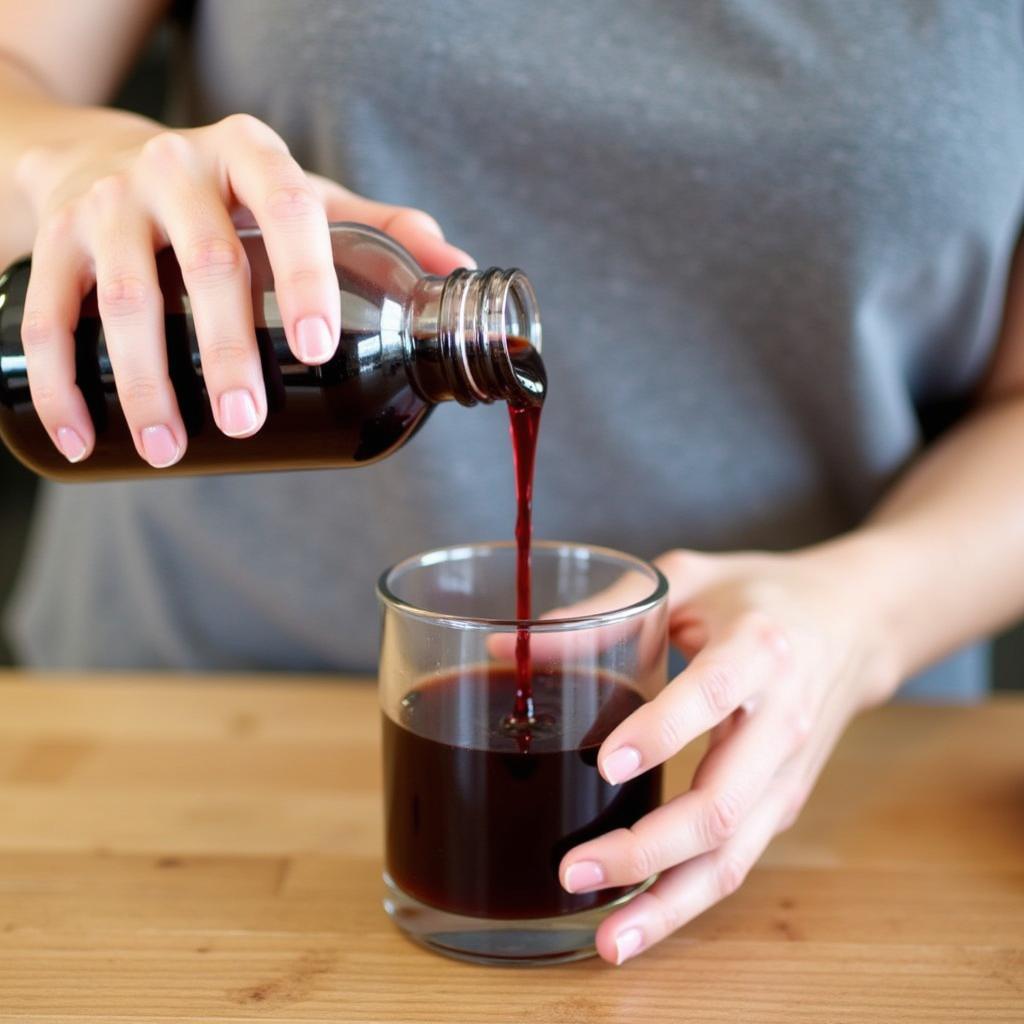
x=265 y=178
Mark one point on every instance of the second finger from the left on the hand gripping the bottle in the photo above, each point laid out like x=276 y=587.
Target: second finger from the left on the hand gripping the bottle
x=133 y=312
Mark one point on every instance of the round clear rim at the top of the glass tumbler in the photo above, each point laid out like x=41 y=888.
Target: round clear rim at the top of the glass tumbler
x=660 y=589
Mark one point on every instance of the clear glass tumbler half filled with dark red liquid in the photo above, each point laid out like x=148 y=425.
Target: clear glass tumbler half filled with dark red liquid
x=481 y=806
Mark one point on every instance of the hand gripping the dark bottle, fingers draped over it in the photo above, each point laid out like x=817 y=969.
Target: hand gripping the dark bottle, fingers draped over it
x=105 y=206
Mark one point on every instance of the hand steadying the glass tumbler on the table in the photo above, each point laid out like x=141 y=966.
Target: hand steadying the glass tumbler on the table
x=782 y=655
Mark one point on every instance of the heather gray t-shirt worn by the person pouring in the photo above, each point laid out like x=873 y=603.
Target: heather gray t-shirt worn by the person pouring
x=771 y=240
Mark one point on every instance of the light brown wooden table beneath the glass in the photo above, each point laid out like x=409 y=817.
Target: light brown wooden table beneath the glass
x=209 y=850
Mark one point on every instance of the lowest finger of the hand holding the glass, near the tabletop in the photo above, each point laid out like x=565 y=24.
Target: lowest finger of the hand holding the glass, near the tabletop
x=687 y=891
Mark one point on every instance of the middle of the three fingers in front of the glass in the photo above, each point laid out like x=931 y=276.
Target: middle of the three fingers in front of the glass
x=729 y=786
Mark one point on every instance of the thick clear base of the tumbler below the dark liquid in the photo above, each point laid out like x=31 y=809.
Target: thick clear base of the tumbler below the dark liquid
x=533 y=943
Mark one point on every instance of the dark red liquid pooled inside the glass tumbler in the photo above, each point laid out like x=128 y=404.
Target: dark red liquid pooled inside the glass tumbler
x=477 y=825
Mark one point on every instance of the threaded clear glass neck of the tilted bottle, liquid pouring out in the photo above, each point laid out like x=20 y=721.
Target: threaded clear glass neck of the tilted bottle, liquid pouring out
x=475 y=337
